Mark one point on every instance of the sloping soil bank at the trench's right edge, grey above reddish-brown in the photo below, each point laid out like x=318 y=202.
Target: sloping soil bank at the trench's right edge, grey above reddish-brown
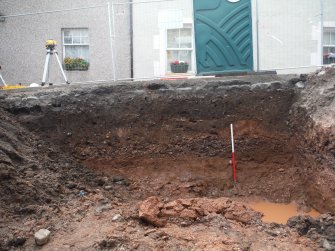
x=313 y=116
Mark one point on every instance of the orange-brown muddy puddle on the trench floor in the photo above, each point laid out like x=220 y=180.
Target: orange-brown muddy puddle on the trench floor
x=279 y=213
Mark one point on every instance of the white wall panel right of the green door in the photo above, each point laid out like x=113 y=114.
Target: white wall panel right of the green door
x=289 y=33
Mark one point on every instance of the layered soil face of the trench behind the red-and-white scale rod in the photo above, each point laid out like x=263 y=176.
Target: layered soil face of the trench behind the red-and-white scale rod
x=171 y=139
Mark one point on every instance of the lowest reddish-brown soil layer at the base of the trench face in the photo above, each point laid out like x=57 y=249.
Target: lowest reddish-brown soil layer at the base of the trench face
x=189 y=176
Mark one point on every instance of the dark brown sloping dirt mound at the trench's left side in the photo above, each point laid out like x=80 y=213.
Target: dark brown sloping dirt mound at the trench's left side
x=35 y=178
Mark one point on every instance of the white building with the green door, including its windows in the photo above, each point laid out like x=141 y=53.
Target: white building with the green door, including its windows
x=224 y=36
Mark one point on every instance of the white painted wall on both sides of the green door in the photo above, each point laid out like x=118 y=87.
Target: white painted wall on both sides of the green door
x=289 y=34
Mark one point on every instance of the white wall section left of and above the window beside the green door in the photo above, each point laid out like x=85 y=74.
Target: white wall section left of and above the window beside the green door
x=149 y=36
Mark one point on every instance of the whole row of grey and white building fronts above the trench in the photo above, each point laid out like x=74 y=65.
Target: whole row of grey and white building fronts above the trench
x=140 y=39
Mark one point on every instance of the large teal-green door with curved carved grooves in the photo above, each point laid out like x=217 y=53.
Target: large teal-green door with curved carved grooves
x=223 y=36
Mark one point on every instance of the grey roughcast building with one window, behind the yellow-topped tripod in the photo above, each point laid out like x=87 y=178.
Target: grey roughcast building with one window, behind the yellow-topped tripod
x=83 y=33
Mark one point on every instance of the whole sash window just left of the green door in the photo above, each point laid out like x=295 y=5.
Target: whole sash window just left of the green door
x=180 y=45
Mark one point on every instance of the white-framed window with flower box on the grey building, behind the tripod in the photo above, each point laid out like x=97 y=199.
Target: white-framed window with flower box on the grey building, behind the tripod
x=76 y=49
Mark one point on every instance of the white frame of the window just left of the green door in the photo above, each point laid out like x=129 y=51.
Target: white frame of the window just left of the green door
x=167 y=68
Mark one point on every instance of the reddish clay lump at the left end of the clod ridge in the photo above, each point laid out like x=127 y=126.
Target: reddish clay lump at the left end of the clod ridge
x=149 y=211
